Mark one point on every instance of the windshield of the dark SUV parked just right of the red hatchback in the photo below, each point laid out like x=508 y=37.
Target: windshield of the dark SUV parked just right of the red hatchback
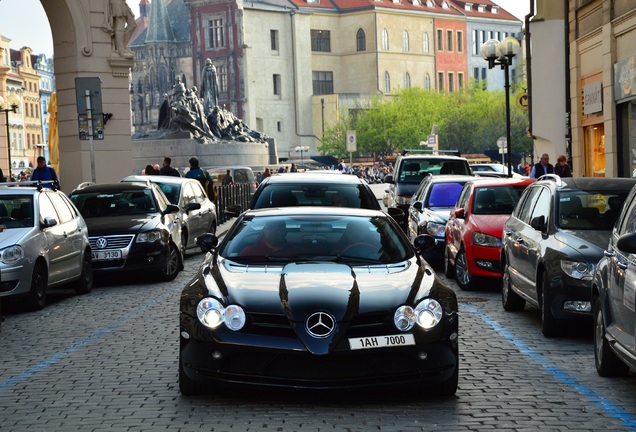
x=589 y=210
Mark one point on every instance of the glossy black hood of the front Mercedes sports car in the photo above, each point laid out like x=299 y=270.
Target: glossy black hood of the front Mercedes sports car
x=298 y=290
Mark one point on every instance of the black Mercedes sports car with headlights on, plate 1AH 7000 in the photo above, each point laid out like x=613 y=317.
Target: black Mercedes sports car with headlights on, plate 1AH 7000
x=314 y=298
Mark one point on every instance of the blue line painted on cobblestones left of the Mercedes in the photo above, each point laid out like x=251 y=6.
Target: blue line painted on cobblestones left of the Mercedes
x=55 y=358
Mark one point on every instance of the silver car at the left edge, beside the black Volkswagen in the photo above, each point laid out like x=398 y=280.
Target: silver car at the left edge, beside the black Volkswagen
x=43 y=244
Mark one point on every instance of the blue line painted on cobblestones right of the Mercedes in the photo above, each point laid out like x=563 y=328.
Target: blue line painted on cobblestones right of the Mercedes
x=604 y=404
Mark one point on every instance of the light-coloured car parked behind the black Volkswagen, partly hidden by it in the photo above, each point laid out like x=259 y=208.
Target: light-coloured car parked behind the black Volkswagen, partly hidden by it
x=197 y=214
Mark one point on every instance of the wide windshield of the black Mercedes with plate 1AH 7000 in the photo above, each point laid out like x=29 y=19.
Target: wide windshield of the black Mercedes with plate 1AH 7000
x=348 y=239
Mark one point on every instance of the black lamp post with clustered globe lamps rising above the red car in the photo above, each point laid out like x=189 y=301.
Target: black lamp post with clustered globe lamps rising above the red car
x=501 y=53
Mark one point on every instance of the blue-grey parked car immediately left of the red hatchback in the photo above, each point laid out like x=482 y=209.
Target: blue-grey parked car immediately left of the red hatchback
x=430 y=208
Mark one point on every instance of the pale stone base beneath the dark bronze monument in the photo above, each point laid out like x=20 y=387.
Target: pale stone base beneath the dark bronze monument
x=222 y=153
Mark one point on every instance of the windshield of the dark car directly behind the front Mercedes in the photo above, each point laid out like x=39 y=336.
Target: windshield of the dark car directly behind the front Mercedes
x=338 y=195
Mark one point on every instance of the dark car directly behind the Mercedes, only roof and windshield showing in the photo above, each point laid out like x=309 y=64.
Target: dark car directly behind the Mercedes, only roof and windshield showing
x=325 y=188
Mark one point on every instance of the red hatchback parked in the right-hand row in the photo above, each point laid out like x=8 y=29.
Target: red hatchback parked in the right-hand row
x=473 y=231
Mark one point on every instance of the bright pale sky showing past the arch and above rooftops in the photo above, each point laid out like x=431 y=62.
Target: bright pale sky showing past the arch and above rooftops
x=41 y=43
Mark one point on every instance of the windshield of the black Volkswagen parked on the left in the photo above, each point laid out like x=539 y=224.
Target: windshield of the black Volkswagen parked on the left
x=108 y=204
